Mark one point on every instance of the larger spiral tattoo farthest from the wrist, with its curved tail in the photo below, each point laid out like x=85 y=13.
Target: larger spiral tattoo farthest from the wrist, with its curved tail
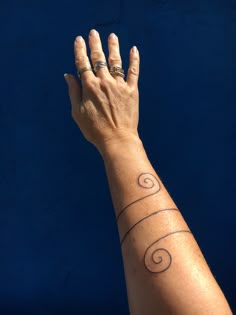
x=157 y=260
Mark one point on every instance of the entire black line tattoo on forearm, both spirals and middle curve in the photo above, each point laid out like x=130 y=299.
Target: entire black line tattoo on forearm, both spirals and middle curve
x=156 y=258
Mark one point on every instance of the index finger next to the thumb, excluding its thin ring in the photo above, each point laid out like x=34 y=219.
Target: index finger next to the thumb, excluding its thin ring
x=81 y=58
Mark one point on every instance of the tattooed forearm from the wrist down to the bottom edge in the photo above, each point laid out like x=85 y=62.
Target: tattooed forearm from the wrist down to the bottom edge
x=165 y=270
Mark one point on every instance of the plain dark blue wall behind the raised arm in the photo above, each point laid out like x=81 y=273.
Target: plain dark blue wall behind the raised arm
x=59 y=243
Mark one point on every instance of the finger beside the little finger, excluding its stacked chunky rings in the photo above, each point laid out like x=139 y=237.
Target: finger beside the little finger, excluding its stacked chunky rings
x=114 y=58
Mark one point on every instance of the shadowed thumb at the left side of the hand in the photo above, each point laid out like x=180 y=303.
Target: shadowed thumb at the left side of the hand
x=75 y=91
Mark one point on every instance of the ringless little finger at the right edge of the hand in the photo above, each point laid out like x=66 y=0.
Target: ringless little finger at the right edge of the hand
x=134 y=65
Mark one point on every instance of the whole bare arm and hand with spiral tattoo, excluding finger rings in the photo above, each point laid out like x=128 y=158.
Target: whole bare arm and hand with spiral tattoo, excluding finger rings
x=165 y=270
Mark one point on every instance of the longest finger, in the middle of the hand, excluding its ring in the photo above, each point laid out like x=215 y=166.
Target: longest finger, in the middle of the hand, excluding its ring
x=97 y=53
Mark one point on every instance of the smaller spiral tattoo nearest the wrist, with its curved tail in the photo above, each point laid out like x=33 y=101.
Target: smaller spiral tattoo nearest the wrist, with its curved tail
x=147 y=181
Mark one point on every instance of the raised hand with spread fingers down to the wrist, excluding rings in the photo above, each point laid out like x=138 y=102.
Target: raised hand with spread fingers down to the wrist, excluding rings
x=105 y=107
